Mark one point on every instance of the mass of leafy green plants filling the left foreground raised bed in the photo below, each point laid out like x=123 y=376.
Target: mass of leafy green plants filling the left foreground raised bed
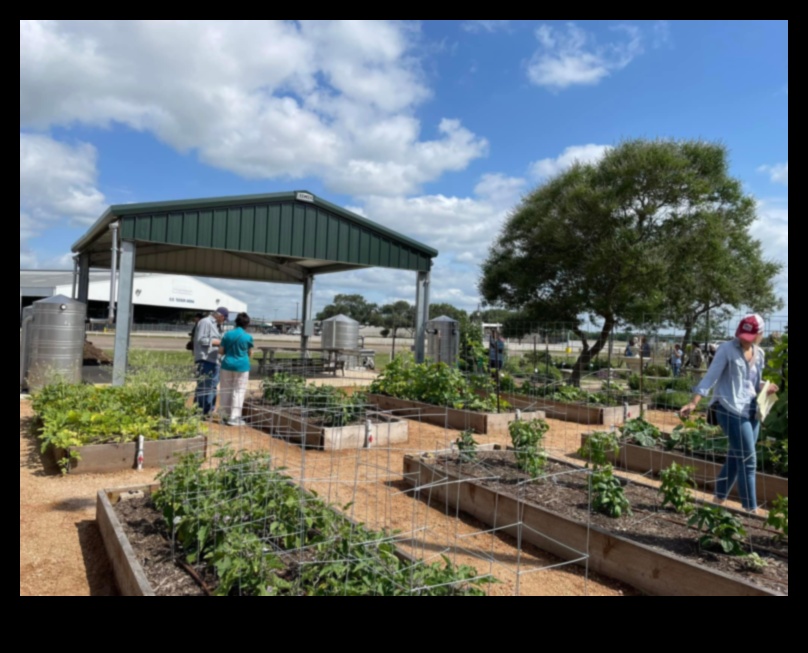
x=248 y=526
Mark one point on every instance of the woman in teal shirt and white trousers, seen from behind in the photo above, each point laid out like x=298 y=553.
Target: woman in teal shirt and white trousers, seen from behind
x=236 y=349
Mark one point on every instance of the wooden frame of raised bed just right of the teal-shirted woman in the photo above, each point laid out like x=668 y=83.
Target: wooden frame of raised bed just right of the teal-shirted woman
x=377 y=430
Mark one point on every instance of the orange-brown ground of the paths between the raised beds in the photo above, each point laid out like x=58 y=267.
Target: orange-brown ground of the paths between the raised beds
x=61 y=553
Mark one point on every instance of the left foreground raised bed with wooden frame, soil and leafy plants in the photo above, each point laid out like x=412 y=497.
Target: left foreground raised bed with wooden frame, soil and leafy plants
x=265 y=537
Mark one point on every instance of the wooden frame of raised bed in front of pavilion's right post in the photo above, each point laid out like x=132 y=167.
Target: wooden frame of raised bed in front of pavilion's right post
x=460 y=420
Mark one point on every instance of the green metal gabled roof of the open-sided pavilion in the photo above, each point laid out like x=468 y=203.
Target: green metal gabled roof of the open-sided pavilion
x=281 y=238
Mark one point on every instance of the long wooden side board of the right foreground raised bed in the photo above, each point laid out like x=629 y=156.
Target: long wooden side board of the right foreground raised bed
x=642 y=567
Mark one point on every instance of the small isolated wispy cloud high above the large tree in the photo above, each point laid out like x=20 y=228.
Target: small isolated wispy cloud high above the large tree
x=573 y=57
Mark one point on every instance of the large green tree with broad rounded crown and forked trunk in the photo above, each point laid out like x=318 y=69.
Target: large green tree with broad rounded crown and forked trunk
x=603 y=239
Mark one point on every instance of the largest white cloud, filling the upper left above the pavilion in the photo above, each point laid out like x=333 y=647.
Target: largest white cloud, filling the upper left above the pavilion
x=264 y=99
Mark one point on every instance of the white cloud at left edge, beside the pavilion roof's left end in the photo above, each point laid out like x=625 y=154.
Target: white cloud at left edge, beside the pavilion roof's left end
x=57 y=183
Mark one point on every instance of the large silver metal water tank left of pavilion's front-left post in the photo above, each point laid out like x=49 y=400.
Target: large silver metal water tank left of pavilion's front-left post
x=56 y=349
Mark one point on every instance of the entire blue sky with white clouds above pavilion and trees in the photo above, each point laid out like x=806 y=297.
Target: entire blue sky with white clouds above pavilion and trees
x=433 y=128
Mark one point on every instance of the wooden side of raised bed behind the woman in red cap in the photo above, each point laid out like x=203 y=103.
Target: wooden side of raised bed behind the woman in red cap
x=653 y=460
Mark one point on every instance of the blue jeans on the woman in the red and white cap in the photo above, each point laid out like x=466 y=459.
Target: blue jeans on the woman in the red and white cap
x=741 y=465
